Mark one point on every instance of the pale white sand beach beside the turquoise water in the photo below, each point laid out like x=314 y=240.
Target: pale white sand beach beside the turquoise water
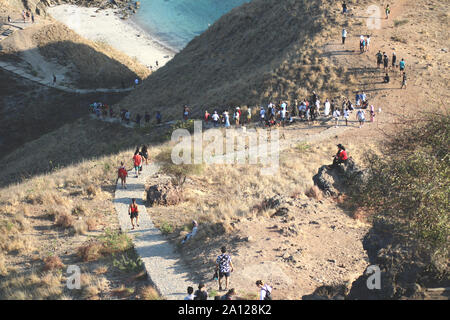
x=123 y=35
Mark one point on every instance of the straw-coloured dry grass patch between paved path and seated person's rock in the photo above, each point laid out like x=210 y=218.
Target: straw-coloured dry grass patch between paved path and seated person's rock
x=217 y=195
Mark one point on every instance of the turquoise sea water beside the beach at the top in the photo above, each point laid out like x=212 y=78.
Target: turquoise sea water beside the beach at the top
x=176 y=22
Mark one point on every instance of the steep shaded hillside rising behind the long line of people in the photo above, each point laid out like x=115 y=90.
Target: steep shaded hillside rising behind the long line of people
x=264 y=50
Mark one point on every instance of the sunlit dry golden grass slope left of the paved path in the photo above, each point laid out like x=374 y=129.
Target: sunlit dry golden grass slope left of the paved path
x=64 y=218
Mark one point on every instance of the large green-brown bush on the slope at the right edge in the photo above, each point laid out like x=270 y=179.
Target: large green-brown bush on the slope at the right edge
x=408 y=187
